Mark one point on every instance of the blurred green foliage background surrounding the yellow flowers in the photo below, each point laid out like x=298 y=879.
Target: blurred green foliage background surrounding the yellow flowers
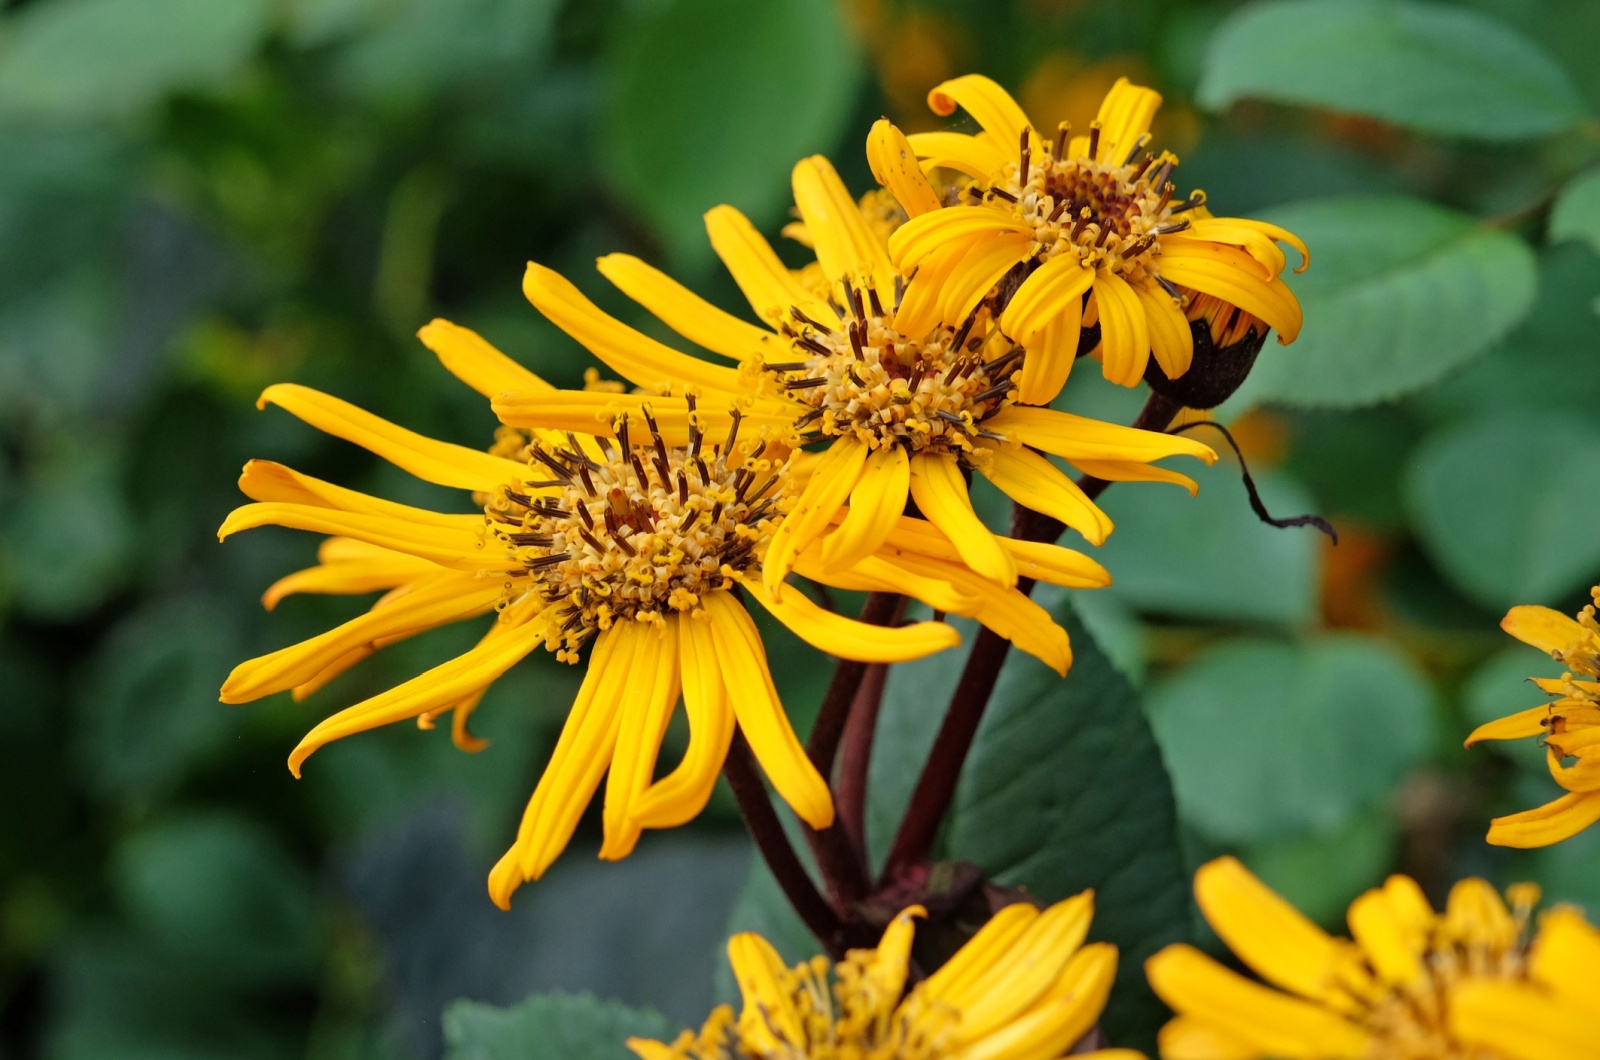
x=199 y=199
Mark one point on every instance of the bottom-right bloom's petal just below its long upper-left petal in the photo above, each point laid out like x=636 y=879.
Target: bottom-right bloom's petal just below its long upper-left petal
x=1274 y=1024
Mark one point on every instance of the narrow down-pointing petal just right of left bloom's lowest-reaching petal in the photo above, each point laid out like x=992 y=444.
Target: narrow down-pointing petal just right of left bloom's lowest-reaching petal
x=649 y=701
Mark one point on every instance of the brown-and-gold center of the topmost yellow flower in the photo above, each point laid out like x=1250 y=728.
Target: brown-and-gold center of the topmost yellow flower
x=1113 y=217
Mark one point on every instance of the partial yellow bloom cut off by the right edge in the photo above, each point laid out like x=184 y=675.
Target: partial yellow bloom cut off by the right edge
x=1569 y=726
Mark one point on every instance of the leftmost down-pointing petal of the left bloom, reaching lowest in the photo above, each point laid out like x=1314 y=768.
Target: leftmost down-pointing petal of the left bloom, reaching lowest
x=577 y=766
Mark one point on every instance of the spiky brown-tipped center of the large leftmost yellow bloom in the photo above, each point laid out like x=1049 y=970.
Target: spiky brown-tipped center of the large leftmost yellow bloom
x=614 y=531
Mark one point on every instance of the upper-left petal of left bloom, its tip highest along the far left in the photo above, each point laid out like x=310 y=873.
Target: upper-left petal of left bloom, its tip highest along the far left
x=423 y=457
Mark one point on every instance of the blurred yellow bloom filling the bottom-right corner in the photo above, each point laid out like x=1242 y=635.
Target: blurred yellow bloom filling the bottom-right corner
x=1466 y=984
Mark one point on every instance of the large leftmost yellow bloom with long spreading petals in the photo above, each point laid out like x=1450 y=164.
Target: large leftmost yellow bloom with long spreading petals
x=634 y=540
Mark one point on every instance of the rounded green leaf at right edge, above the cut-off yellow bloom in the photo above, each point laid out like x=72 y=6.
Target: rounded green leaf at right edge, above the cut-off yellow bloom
x=1508 y=507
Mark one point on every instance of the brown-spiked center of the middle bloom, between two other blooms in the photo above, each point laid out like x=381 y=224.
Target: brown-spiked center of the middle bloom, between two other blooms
x=870 y=380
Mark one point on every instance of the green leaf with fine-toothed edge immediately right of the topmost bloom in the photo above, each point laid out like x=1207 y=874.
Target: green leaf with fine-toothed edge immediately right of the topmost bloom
x=1399 y=294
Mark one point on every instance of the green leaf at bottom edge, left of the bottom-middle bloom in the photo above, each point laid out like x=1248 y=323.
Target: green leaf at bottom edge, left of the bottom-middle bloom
x=550 y=1027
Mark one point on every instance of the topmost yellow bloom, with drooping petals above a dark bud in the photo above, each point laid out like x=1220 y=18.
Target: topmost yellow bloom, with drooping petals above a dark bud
x=1092 y=230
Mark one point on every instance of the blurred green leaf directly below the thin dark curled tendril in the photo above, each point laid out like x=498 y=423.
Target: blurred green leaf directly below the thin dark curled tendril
x=1210 y=556
